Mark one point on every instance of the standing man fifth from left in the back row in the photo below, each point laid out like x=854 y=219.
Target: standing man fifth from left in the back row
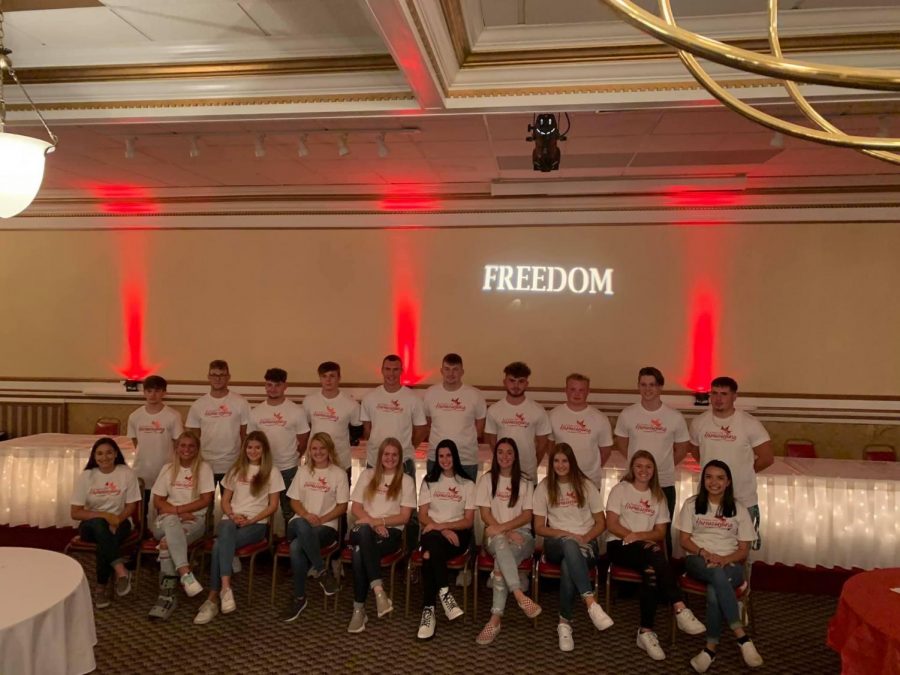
x=393 y=410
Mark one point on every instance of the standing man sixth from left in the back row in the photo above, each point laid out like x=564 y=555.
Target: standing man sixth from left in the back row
x=455 y=411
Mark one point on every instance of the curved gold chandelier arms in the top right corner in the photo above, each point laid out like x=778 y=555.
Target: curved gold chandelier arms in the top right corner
x=790 y=72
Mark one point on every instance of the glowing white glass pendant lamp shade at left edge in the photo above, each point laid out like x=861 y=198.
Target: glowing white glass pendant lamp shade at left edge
x=21 y=171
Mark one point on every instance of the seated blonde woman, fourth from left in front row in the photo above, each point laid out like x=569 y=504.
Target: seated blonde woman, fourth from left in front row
x=319 y=494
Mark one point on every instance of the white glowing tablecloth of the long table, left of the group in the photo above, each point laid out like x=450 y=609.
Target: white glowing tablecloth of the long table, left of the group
x=37 y=474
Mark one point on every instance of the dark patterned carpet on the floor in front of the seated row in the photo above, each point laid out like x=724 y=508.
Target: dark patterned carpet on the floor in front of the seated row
x=789 y=633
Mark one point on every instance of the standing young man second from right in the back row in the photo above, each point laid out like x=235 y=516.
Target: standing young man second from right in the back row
x=651 y=425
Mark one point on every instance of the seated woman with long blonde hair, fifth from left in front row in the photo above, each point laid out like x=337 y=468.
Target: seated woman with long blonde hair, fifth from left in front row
x=383 y=500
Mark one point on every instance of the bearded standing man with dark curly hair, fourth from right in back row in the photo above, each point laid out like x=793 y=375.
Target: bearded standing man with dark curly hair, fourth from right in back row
x=518 y=417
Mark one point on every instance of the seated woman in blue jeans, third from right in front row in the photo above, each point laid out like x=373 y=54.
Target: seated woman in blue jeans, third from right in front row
x=568 y=513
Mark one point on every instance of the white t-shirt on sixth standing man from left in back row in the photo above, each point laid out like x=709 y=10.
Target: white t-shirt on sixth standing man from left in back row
x=453 y=415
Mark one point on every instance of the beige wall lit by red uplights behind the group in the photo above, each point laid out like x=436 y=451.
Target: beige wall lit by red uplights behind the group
x=807 y=308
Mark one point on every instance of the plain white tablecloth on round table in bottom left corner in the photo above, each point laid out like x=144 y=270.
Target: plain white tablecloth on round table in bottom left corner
x=46 y=616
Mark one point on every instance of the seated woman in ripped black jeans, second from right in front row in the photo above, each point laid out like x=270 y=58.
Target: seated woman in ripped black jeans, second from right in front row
x=636 y=519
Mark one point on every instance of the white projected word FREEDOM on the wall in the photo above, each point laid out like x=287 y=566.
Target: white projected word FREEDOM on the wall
x=540 y=279
